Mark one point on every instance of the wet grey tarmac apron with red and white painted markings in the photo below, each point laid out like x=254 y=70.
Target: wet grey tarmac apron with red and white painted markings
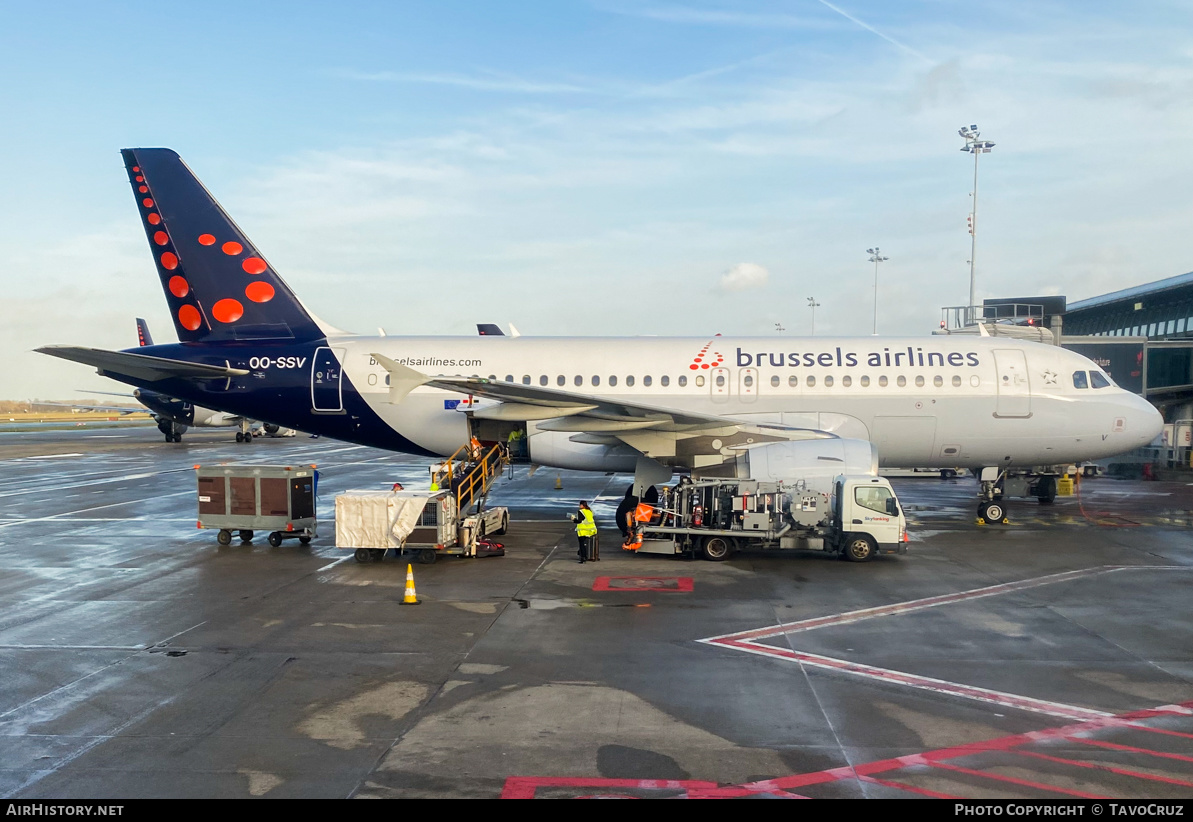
x=1046 y=659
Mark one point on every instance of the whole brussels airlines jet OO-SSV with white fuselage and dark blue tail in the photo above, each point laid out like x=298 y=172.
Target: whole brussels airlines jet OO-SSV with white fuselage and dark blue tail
x=250 y=348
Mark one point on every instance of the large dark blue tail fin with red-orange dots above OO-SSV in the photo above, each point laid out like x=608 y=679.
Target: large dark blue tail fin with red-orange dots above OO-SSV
x=218 y=285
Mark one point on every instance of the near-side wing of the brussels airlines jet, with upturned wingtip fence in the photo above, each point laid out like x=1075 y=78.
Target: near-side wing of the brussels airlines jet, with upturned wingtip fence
x=584 y=413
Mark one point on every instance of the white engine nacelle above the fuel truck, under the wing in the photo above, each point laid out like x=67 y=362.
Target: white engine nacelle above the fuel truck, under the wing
x=814 y=462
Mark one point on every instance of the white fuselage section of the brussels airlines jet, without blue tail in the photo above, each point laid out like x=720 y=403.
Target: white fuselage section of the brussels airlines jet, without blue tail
x=923 y=401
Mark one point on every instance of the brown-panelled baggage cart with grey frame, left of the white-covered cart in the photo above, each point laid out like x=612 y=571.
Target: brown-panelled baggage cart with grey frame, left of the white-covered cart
x=246 y=499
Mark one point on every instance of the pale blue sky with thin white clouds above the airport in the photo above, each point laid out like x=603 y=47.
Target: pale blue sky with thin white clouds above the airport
x=594 y=168
